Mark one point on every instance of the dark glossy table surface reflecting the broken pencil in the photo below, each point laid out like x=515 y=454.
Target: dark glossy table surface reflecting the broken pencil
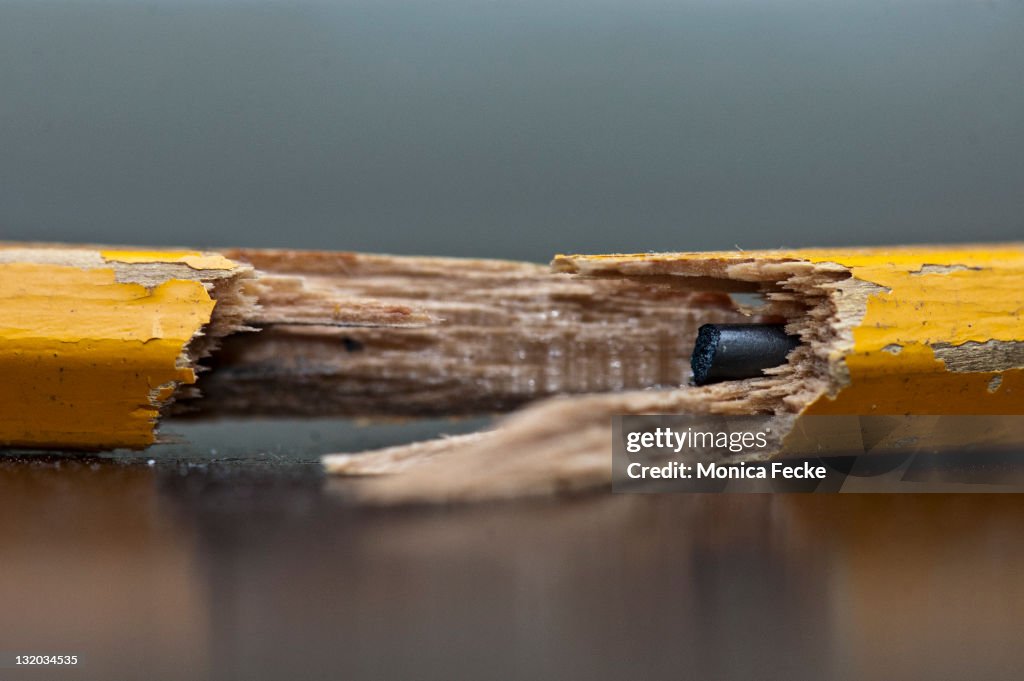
x=246 y=564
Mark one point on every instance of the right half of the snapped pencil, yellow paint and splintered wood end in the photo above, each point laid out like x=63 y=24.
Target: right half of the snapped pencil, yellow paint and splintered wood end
x=894 y=331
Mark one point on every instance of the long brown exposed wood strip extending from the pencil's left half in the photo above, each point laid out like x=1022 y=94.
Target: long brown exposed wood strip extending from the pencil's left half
x=423 y=337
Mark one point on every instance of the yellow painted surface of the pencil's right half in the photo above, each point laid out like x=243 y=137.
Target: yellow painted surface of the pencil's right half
x=932 y=296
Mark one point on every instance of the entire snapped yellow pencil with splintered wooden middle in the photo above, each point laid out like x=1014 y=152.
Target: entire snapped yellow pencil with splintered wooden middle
x=98 y=344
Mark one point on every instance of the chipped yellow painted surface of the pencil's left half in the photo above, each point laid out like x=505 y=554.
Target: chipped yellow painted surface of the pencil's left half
x=88 y=362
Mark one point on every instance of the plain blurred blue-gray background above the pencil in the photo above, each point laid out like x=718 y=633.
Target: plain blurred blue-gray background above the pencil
x=513 y=130
